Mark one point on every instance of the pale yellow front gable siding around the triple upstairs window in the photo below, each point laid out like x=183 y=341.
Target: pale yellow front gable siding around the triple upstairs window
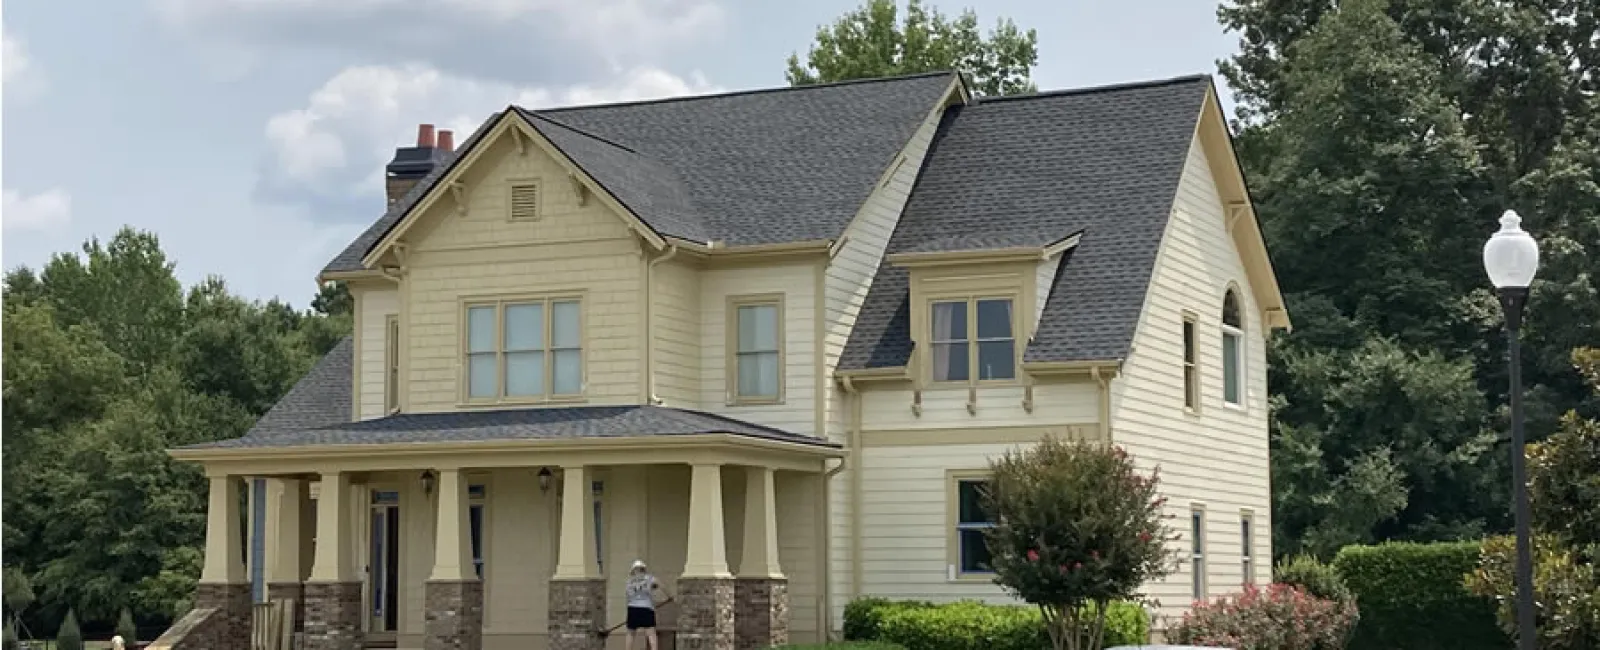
x=570 y=249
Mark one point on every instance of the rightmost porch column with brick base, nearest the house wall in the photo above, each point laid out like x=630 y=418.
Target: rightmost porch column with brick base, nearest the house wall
x=762 y=592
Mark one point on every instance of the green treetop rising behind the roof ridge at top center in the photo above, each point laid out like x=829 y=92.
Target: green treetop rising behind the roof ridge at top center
x=873 y=42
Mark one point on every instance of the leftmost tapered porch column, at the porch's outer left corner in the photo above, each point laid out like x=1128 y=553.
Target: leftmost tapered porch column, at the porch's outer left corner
x=223 y=582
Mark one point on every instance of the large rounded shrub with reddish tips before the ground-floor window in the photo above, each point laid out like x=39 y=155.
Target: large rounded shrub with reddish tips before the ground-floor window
x=1078 y=529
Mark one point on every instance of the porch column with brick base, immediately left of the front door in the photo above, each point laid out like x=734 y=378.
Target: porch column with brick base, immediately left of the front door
x=334 y=593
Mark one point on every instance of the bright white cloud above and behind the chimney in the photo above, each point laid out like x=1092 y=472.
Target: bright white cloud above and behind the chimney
x=338 y=143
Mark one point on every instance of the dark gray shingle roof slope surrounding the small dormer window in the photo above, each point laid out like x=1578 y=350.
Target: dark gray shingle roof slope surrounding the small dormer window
x=1100 y=162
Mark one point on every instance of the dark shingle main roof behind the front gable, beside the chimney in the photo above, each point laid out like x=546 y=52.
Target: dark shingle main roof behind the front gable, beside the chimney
x=756 y=167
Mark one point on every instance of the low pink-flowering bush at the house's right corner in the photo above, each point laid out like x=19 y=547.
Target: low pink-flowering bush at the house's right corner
x=1276 y=619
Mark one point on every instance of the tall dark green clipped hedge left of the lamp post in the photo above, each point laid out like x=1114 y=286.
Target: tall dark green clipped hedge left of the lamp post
x=1414 y=598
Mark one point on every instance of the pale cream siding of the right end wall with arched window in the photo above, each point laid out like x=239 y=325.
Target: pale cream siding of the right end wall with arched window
x=1220 y=455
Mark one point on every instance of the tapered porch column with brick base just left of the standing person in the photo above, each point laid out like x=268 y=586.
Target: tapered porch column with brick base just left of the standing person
x=577 y=588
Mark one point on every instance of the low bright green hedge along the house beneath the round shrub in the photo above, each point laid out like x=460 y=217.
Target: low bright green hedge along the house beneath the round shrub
x=970 y=625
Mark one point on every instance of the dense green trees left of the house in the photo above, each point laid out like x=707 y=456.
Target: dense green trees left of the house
x=110 y=364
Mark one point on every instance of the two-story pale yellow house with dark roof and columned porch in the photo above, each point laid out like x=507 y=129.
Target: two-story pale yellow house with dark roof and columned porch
x=764 y=342
